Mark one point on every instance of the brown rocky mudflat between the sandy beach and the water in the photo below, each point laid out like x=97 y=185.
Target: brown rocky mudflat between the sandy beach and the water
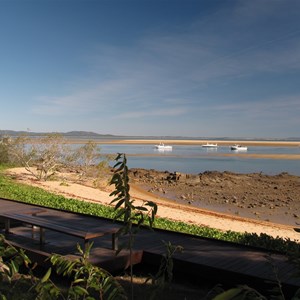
x=257 y=196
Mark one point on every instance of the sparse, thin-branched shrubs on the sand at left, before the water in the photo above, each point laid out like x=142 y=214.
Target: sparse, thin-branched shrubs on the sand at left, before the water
x=43 y=156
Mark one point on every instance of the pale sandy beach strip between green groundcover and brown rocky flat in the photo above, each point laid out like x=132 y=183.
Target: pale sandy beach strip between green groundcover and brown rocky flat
x=166 y=208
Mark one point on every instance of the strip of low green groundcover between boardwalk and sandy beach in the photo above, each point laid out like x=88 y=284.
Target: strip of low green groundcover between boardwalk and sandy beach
x=33 y=195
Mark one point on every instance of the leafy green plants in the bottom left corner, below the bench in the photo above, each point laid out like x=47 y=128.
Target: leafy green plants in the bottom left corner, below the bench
x=86 y=281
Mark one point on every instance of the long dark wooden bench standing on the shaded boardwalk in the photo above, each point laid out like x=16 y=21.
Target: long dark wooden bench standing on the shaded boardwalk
x=44 y=223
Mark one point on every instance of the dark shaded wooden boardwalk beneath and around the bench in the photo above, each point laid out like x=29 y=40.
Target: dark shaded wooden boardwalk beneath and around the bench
x=211 y=259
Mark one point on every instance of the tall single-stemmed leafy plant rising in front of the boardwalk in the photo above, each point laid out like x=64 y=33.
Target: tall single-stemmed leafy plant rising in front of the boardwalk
x=133 y=216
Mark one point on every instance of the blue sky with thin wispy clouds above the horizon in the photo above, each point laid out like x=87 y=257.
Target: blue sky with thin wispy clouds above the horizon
x=198 y=68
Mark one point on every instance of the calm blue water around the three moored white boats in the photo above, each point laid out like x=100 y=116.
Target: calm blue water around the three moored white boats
x=195 y=159
